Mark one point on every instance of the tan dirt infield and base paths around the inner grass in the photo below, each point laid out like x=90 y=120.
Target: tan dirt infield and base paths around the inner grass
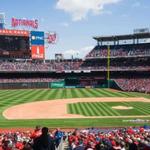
x=54 y=109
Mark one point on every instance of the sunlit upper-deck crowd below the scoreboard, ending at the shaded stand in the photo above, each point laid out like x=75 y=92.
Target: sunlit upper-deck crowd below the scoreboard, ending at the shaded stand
x=40 y=66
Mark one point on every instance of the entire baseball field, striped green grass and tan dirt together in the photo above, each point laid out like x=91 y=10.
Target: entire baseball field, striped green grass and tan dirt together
x=71 y=108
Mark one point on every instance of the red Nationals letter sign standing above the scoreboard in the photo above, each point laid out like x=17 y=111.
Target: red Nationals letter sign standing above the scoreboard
x=24 y=22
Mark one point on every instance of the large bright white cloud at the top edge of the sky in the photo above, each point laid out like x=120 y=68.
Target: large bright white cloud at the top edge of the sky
x=79 y=9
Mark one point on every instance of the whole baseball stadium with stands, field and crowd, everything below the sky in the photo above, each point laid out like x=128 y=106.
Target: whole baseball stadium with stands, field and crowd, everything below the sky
x=99 y=102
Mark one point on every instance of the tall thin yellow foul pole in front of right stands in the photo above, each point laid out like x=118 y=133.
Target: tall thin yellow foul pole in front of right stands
x=108 y=66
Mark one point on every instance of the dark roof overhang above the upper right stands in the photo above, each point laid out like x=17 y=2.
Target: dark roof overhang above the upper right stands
x=122 y=37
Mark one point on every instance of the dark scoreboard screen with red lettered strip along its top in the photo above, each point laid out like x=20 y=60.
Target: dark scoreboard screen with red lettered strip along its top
x=14 y=44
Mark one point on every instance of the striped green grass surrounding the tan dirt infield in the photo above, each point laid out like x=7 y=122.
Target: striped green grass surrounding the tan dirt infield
x=13 y=97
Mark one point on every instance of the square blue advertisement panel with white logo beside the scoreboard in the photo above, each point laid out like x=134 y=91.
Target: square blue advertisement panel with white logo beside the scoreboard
x=37 y=38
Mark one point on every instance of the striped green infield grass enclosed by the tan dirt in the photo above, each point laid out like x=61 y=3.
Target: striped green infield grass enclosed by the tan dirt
x=105 y=109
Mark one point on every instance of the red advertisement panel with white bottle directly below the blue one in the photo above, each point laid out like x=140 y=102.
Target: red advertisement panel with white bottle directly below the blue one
x=38 y=52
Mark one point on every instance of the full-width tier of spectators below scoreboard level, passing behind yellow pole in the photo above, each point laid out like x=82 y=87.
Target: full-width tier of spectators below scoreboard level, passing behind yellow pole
x=68 y=66
